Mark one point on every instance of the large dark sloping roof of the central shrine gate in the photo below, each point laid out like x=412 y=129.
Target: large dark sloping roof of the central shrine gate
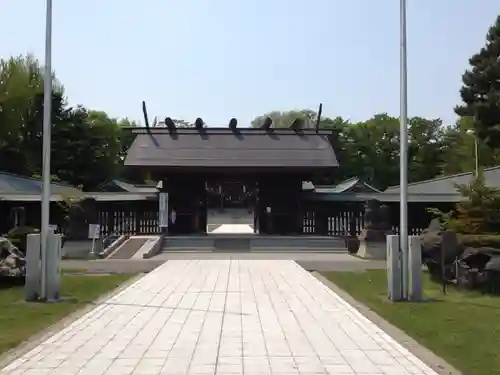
x=215 y=147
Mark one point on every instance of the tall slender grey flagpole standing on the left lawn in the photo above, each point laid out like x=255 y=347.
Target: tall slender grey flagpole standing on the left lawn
x=47 y=123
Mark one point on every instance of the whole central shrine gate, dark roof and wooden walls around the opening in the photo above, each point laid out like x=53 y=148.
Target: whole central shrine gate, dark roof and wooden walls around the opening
x=261 y=170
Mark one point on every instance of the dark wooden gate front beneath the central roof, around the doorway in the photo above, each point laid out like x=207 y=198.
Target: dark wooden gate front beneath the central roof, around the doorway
x=274 y=201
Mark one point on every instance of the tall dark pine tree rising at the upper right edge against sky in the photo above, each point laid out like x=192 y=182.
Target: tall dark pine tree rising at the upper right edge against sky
x=480 y=92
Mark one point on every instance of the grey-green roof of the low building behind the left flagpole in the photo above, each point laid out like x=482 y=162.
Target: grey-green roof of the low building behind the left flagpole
x=15 y=184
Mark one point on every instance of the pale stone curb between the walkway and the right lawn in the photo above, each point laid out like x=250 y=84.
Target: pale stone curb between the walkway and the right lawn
x=425 y=355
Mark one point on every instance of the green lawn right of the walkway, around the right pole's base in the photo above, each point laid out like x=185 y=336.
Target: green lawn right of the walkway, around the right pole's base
x=461 y=327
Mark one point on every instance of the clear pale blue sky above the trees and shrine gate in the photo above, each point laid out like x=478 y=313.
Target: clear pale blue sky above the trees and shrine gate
x=232 y=58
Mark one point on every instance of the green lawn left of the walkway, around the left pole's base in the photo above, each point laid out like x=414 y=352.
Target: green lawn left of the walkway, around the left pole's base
x=19 y=320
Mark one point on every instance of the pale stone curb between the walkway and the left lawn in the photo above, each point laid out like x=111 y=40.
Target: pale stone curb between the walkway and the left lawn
x=46 y=333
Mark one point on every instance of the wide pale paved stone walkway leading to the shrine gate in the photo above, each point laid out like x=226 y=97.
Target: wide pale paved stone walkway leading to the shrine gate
x=222 y=317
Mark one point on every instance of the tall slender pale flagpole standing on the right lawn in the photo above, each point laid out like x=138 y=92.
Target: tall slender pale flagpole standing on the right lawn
x=403 y=157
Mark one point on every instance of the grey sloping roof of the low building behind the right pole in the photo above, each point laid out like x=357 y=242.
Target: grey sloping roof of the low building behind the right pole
x=446 y=184
